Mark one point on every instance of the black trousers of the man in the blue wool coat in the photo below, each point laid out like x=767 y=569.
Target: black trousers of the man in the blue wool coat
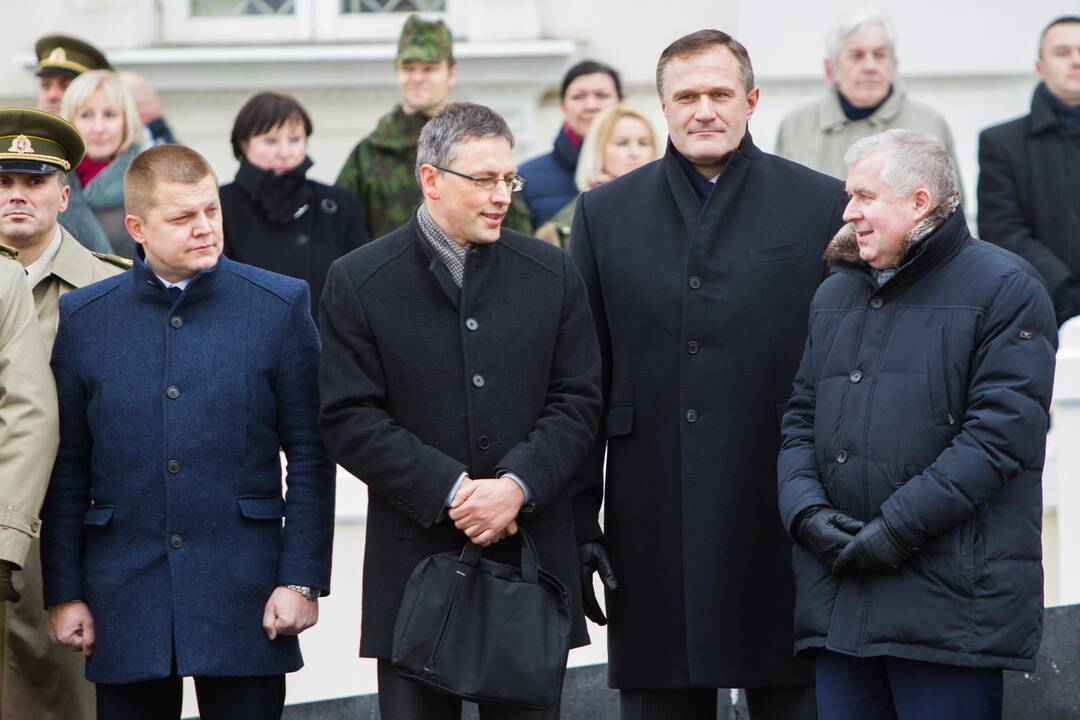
x=260 y=698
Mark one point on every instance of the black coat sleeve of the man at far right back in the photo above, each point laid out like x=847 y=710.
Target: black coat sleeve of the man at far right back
x=1002 y=218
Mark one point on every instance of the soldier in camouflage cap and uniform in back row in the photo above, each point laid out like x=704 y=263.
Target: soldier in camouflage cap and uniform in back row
x=382 y=170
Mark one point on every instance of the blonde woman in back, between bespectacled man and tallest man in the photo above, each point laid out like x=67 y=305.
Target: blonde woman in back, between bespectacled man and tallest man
x=618 y=141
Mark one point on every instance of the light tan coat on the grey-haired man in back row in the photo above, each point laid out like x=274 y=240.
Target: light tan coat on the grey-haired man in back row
x=818 y=135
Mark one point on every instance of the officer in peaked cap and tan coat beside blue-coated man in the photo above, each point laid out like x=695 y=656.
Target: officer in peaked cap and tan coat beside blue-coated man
x=42 y=681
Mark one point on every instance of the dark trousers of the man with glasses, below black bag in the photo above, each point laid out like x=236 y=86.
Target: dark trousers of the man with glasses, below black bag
x=400 y=699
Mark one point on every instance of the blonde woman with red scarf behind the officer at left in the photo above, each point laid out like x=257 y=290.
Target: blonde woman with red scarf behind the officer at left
x=103 y=112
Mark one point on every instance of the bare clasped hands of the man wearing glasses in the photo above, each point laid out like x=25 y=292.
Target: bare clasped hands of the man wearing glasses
x=484 y=509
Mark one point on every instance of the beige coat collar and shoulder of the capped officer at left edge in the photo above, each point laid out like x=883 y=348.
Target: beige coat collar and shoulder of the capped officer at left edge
x=73 y=267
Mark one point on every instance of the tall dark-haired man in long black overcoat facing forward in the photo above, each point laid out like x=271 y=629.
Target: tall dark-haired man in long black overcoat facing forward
x=700 y=269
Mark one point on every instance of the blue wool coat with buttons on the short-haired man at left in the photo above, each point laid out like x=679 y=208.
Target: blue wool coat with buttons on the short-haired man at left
x=165 y=511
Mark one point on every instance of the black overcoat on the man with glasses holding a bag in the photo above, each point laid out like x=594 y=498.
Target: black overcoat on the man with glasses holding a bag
x=423 y=381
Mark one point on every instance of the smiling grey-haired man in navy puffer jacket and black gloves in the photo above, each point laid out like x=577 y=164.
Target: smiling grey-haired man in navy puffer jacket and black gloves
x=911 y=470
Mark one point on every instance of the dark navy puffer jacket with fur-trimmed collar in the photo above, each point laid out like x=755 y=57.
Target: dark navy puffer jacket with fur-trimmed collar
x=926 y=401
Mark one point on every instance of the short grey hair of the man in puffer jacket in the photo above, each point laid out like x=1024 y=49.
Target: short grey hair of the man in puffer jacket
x=913 y=160
